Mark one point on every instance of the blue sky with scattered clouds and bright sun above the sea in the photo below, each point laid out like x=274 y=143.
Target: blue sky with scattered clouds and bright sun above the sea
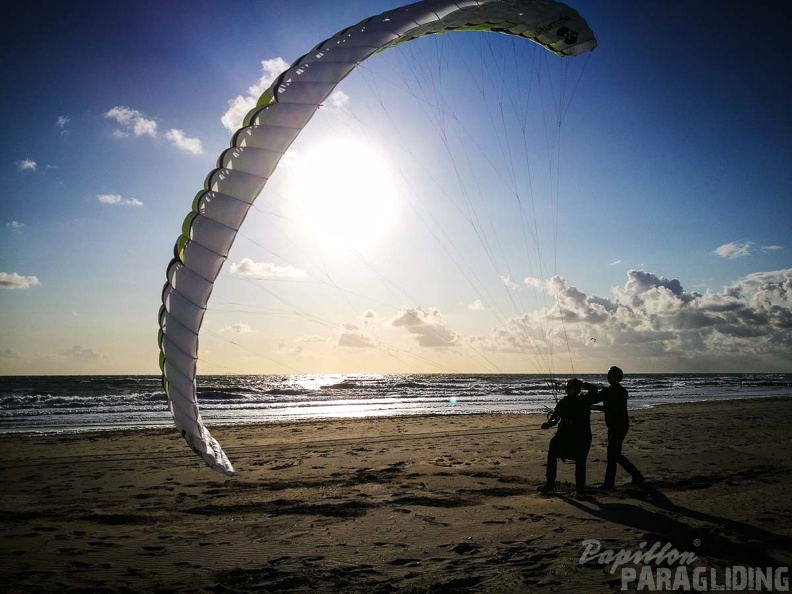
x=436 y=215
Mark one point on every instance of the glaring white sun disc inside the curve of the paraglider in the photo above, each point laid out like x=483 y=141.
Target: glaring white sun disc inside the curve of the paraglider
x=344 y=193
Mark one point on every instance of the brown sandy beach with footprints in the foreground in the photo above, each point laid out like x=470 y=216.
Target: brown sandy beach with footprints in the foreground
x=422 y=504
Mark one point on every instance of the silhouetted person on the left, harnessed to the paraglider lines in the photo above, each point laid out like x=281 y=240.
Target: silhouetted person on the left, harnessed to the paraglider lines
x=572 y=440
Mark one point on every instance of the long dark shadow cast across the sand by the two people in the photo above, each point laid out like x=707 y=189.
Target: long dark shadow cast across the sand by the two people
x=719 y=539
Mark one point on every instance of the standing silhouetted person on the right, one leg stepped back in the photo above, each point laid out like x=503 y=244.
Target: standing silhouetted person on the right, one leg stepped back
x=614 y=404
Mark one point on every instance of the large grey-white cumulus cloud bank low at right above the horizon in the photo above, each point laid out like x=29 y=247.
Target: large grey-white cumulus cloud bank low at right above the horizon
x=653 y=318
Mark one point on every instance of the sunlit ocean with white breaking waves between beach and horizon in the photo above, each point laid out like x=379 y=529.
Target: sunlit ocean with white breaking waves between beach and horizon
x=53 y=404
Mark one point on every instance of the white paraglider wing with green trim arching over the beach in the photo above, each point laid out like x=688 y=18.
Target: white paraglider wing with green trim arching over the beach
x=269 y=129
